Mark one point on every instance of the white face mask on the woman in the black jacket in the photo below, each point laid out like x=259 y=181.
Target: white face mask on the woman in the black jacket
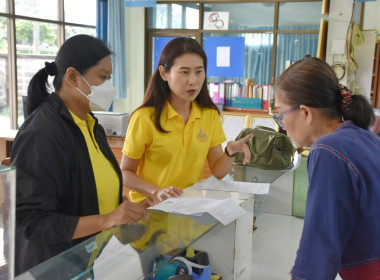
x=101 y=96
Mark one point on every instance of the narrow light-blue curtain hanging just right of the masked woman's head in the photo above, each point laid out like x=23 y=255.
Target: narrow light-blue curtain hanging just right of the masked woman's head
x=116 y=40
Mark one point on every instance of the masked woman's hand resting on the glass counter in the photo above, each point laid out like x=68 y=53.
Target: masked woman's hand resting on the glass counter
x=126 y=213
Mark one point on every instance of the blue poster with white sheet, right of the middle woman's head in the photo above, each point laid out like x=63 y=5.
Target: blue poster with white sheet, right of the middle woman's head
x=225 y=56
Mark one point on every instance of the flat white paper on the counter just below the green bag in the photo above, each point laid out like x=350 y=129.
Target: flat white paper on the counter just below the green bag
x=231 y=186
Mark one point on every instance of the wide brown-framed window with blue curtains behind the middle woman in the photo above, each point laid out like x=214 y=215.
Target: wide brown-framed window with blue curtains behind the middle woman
x=275 y=33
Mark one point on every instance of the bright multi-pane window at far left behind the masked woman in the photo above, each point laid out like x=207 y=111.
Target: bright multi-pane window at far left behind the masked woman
x=40 y=28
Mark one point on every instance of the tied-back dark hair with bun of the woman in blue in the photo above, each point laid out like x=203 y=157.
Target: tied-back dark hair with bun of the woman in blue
x=312 y=82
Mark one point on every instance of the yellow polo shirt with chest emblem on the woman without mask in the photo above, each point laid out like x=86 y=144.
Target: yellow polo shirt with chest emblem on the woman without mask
x=175 y=158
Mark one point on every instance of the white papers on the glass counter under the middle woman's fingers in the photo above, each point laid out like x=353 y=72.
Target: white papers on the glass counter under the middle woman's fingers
x=224 y=210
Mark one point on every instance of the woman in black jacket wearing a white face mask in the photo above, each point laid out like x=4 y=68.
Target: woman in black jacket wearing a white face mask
x=69 y=184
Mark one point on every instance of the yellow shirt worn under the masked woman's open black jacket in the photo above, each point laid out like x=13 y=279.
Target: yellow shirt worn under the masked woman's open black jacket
x=106 y=178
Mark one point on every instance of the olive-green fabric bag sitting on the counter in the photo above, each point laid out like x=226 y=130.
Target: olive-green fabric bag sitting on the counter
x=269 y=149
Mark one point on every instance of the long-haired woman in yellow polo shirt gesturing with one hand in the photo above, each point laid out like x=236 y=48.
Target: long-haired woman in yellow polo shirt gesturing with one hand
x=176 y=129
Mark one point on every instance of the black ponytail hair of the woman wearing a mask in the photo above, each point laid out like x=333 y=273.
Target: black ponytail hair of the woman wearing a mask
x=80 y=51
